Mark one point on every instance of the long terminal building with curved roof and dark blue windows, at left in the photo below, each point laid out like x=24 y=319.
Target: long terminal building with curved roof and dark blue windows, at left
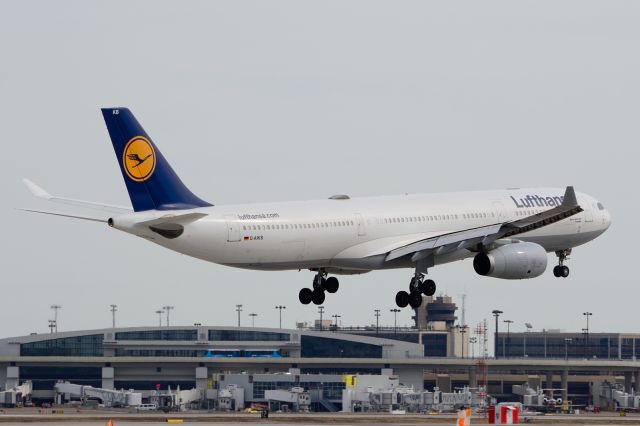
x=149 y=358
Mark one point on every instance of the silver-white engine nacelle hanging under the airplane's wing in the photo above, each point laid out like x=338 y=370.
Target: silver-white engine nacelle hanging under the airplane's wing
x=514 y=261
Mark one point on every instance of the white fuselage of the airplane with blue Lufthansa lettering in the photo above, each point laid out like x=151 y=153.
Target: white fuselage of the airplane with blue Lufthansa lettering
x=353 y=235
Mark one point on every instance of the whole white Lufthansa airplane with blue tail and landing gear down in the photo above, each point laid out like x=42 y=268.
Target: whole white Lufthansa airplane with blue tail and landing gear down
x=508 y=233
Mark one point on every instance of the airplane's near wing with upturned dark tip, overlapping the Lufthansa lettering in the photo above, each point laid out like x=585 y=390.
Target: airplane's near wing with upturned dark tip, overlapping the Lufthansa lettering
x=486 y=235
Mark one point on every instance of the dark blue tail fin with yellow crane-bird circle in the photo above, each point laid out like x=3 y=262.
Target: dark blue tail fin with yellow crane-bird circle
x=150 y=180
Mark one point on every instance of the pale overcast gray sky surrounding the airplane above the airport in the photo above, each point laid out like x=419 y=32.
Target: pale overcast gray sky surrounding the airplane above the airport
x=261 y=101
